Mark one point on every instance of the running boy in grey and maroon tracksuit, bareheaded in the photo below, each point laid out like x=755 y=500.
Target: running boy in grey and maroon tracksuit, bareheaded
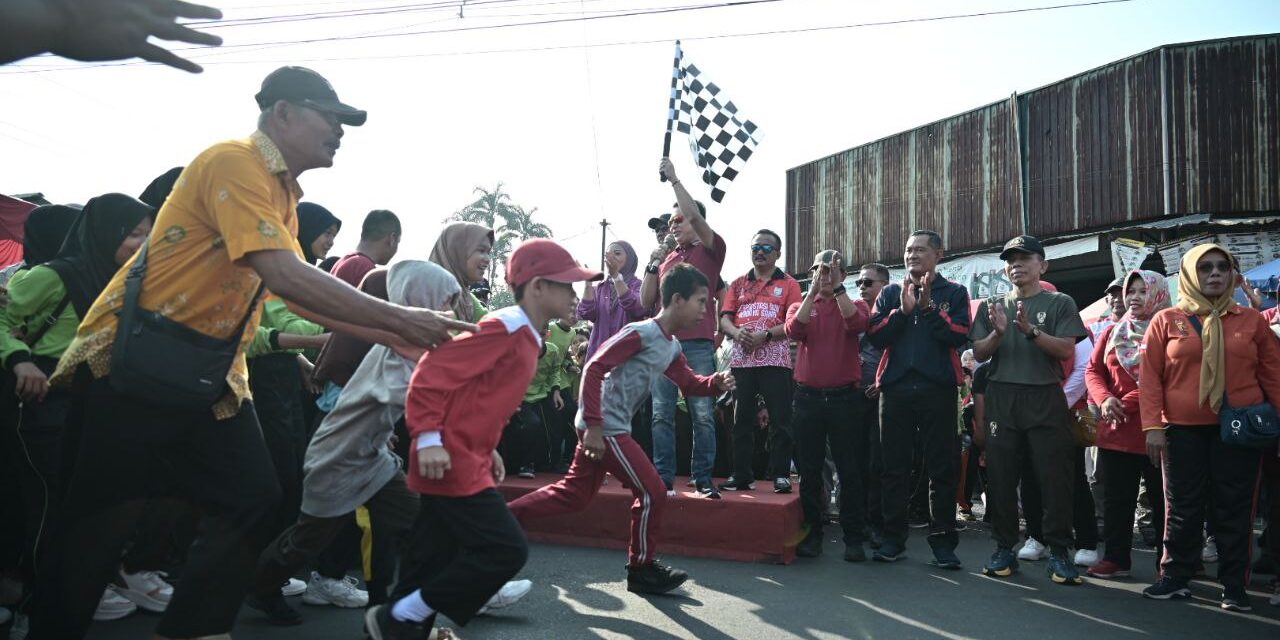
x=632 y=360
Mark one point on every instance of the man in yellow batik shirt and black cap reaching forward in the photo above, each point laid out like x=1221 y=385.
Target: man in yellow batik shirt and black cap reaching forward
x=228 y=227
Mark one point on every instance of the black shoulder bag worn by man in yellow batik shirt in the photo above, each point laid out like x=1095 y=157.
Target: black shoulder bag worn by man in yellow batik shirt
x=164 y=363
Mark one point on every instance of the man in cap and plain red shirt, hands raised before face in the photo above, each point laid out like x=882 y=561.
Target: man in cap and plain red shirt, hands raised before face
x=829 y=368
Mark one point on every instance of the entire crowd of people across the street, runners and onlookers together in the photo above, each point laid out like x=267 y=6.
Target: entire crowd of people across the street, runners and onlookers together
x=202 y=405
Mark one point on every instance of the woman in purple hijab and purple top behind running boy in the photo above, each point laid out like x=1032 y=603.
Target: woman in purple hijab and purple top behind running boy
x=614 y=303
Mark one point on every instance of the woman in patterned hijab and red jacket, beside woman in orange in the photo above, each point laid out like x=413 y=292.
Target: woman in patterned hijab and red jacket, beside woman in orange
x=1113 y=377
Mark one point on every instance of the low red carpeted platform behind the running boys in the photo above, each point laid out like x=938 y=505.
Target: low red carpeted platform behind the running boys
x=753 y=527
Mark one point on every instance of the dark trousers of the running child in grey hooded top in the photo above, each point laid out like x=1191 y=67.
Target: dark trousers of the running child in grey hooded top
x=392 y=513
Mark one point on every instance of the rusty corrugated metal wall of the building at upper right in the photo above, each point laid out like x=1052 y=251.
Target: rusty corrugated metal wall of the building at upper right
x=1092 y=153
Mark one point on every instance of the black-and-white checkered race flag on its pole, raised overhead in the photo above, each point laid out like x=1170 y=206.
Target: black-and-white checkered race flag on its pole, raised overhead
x=721 y=141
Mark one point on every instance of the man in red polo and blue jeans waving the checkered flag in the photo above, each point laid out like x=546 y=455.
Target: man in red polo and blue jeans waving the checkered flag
x=701 y=246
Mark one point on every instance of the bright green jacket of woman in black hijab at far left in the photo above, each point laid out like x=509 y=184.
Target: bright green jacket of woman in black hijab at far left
x=34 y=295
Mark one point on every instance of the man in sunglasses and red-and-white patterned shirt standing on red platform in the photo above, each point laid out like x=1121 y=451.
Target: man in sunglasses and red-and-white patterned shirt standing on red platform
x=755 y=312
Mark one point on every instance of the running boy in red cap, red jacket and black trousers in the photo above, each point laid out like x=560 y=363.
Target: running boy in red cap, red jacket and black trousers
x=467 y=545
